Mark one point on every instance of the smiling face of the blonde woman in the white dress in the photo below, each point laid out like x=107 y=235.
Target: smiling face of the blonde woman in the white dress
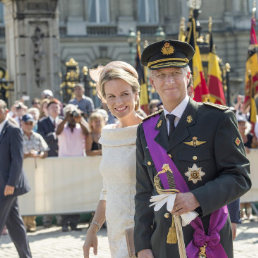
x=120 y=98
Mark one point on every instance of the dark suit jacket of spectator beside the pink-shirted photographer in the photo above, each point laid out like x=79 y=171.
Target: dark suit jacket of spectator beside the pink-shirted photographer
x=47 y=129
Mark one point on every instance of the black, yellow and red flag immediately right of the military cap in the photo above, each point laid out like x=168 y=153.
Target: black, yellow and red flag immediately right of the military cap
x=201 y=92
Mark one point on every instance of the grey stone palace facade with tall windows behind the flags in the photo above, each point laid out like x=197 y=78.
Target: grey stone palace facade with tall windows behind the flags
x=95 y=32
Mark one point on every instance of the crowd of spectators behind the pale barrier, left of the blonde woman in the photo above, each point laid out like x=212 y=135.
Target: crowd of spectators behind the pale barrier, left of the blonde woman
x=51 y=129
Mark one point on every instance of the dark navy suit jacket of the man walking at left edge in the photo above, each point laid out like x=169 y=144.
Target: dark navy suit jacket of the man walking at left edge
x=11 y=158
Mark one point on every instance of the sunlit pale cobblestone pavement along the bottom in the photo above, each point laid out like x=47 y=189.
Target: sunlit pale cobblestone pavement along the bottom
x=53 y=243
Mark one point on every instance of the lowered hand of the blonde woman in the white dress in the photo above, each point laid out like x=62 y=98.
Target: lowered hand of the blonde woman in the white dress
x=90 y=241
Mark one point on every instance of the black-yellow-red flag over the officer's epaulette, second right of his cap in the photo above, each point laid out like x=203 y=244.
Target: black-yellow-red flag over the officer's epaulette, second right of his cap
x=214 y=77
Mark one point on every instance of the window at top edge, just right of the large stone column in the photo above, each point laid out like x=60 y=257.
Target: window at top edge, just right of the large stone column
x=98 y=11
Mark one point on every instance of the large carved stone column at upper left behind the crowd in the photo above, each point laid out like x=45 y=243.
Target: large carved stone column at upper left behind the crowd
x=32 y=45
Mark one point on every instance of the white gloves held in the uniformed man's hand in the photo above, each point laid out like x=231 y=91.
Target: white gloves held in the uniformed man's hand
x=159 y=200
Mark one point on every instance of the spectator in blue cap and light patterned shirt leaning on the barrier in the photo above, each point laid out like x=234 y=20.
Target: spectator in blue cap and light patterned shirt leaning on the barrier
x=33 y=146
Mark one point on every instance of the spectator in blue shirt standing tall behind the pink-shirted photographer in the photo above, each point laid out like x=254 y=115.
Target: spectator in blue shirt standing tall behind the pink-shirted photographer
x=85 y=104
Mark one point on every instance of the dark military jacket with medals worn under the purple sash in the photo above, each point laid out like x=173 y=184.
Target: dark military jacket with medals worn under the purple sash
x=221 y=158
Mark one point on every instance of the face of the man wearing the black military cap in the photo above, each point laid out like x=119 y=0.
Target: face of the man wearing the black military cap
x=170 y=83
